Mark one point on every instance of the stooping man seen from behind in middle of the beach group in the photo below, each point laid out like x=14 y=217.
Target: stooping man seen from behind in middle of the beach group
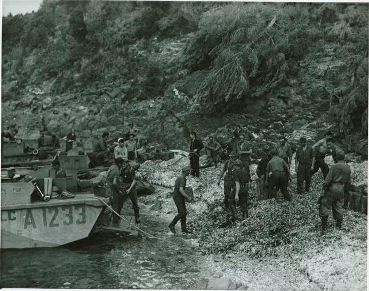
x=278 y=175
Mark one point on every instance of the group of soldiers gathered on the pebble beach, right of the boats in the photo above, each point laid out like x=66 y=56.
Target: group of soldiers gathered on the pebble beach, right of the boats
x=273 y=172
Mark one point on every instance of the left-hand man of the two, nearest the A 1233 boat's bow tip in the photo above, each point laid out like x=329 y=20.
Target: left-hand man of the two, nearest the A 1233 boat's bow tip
x=113 y=188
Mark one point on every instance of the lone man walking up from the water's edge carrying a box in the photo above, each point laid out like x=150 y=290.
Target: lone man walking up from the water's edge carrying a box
x=180 y=197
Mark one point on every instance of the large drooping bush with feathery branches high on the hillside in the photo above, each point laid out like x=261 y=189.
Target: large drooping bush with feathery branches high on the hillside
x=247 y=46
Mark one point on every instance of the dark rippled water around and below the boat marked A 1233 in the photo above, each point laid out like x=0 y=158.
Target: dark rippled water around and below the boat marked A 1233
x=107 y=261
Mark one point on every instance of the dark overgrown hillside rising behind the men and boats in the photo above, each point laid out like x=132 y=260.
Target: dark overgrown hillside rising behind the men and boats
x=98 y=65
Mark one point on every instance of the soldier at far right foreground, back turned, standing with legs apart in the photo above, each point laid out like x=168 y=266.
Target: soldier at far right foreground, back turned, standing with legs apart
x=335 y=186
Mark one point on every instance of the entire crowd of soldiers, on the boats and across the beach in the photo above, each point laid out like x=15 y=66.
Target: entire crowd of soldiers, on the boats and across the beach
x=273 y=171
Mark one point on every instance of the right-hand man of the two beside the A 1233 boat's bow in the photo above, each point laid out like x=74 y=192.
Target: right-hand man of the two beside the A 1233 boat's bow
x=128 y=189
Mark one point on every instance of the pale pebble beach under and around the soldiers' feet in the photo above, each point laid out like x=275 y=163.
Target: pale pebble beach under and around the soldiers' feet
x=279 y=246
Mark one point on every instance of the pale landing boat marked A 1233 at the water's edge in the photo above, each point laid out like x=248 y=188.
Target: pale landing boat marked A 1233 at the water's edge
x=26 y=224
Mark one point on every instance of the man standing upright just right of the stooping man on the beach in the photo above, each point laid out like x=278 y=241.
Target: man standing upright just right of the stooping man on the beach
x=303 y=162
